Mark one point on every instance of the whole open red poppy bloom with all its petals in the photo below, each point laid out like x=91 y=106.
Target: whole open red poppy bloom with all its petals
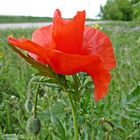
x=70 y=47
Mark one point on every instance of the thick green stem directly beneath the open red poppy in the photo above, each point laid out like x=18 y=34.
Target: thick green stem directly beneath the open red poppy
x=74 y=115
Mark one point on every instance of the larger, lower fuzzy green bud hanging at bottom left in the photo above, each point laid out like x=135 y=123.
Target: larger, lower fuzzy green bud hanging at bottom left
x=33 y=125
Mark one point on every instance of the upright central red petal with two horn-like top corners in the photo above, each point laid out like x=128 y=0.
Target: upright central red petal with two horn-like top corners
x=68 y=35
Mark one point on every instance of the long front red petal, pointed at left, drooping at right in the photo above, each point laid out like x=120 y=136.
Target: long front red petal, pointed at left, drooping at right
x=68 y=64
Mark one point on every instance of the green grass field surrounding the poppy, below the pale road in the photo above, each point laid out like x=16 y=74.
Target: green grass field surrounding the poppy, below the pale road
x=116 y=117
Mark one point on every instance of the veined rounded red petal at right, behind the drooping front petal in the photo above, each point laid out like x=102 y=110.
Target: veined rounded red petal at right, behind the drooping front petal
x=97 y=43
